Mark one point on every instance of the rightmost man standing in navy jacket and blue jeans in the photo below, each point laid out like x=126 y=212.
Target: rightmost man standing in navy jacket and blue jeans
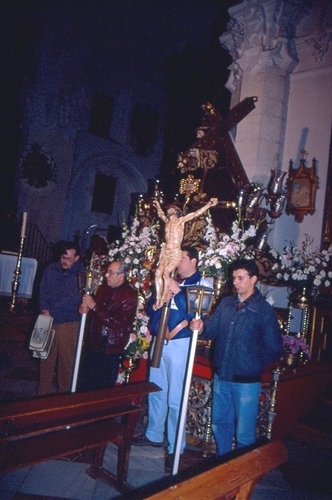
x=247 y=338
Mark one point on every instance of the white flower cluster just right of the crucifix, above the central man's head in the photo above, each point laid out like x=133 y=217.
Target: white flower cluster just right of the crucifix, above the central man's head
x=223 y=250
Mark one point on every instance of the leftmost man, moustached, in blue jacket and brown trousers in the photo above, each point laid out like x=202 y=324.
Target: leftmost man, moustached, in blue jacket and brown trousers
x=60 y=299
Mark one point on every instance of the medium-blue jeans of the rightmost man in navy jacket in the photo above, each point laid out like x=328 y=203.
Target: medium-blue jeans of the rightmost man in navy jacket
x=234 y=413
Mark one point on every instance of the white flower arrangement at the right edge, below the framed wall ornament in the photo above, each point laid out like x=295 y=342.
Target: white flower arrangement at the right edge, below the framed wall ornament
x=303 y=267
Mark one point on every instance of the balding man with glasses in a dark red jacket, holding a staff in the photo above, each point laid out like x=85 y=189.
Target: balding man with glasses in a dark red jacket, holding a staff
x=111 y=314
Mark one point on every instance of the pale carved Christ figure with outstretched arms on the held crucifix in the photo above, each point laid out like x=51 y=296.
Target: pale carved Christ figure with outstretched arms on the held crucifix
x=170 y=254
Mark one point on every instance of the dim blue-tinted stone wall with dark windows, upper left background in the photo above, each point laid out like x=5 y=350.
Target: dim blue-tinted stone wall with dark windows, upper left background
x=75 y=60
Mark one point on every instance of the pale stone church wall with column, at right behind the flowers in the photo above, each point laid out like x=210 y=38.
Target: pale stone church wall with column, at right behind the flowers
x=291 y=78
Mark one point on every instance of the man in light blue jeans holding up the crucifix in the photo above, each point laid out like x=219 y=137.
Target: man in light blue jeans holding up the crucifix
x=164 y=406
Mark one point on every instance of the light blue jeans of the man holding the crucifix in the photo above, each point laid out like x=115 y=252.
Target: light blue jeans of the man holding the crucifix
x=164 y=406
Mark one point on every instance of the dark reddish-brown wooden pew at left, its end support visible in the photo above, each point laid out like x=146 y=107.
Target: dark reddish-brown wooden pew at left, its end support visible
x=47 y=428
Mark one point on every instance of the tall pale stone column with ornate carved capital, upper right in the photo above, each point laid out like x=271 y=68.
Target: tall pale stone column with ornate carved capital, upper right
x=260 y=38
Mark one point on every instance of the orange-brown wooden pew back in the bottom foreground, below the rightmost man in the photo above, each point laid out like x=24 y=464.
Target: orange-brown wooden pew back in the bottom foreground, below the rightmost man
x=234 y=478
